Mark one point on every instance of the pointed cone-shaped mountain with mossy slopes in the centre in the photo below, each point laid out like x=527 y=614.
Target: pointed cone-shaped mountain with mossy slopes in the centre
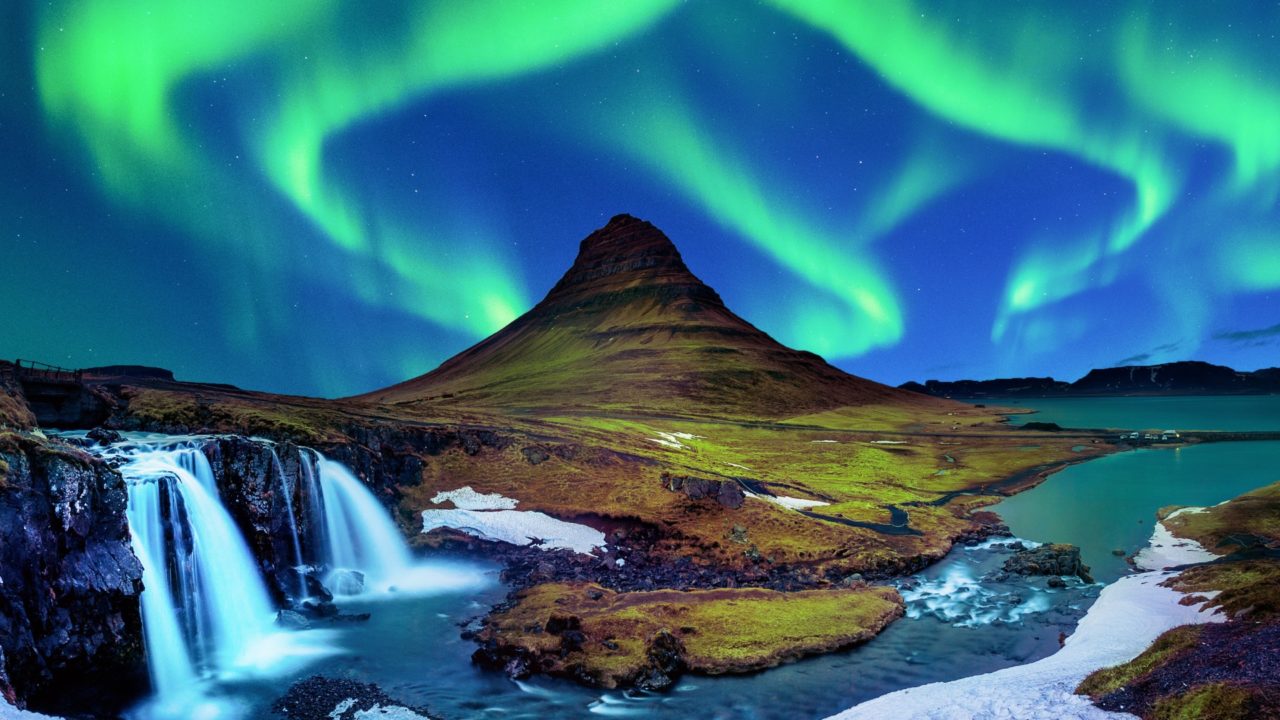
x=632 y=329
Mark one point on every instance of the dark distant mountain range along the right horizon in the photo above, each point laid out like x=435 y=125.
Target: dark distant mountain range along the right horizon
x=1171 y=379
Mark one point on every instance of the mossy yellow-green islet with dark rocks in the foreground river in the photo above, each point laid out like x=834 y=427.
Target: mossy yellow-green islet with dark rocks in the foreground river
x=716 y=632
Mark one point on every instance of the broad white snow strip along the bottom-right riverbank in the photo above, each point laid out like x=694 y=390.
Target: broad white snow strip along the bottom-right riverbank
x=1127 y=618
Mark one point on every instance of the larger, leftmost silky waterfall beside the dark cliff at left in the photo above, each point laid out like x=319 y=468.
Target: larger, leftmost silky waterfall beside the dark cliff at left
x=222 y=612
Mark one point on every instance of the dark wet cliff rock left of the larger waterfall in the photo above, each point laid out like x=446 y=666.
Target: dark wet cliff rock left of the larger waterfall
x=71 y=628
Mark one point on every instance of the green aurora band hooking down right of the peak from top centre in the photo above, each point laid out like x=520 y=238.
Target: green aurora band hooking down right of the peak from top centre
x=961 y=81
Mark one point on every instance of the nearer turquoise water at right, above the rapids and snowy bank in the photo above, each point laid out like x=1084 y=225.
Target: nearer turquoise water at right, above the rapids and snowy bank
x=1110 y=503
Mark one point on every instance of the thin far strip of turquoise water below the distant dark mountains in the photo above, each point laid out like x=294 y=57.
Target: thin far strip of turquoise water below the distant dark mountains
x=1190 y=413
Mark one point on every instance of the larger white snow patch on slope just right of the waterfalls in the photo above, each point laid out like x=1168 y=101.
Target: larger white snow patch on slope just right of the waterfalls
x=516 y=527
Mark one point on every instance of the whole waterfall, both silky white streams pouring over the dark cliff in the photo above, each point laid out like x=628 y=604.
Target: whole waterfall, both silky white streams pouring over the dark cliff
x=207 y=608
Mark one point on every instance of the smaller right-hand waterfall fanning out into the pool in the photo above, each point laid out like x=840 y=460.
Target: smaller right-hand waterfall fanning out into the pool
x=358 y=530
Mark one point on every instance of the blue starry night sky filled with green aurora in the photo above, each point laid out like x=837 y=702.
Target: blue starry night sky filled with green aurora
x=326 y=198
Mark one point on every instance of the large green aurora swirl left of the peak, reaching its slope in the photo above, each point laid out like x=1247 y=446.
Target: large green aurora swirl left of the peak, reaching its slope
x=111 y=72
